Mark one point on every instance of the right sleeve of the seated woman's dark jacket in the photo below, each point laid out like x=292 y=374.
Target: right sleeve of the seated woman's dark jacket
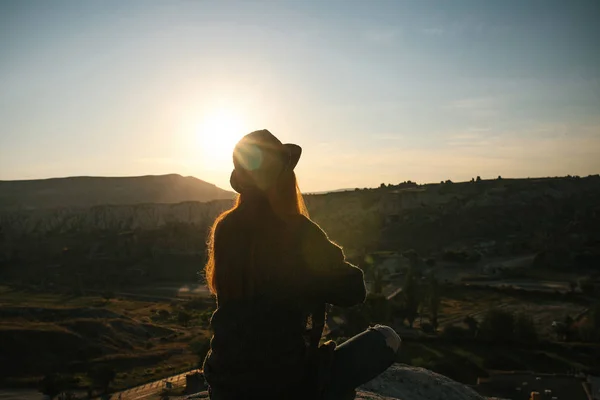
x=331 y=279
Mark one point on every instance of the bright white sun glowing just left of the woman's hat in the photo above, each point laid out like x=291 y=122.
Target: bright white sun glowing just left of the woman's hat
x=218 y=133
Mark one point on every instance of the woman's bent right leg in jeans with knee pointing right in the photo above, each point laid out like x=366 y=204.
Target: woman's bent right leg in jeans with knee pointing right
x=360 y=359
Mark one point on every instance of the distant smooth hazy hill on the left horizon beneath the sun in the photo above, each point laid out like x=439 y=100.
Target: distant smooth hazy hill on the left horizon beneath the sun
x=88 y=191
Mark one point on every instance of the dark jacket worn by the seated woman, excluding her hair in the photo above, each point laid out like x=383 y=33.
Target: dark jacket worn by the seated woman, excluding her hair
x=261 y=342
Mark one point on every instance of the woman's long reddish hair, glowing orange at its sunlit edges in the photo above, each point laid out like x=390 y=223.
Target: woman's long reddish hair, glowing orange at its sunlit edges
x=230 y=267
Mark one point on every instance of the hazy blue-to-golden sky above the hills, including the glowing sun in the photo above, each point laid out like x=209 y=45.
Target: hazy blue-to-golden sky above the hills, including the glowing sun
x=374 y=91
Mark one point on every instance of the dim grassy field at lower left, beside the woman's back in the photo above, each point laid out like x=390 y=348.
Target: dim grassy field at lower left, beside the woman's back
x=95 y=343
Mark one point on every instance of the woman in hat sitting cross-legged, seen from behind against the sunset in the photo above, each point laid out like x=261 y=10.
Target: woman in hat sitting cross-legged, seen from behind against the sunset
x=273 y=270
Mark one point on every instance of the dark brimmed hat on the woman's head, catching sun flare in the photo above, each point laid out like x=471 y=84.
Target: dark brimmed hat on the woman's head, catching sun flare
x=259 y=158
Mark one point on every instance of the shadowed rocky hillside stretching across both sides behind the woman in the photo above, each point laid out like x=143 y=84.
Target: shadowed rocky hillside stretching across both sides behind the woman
x=557 y=216
